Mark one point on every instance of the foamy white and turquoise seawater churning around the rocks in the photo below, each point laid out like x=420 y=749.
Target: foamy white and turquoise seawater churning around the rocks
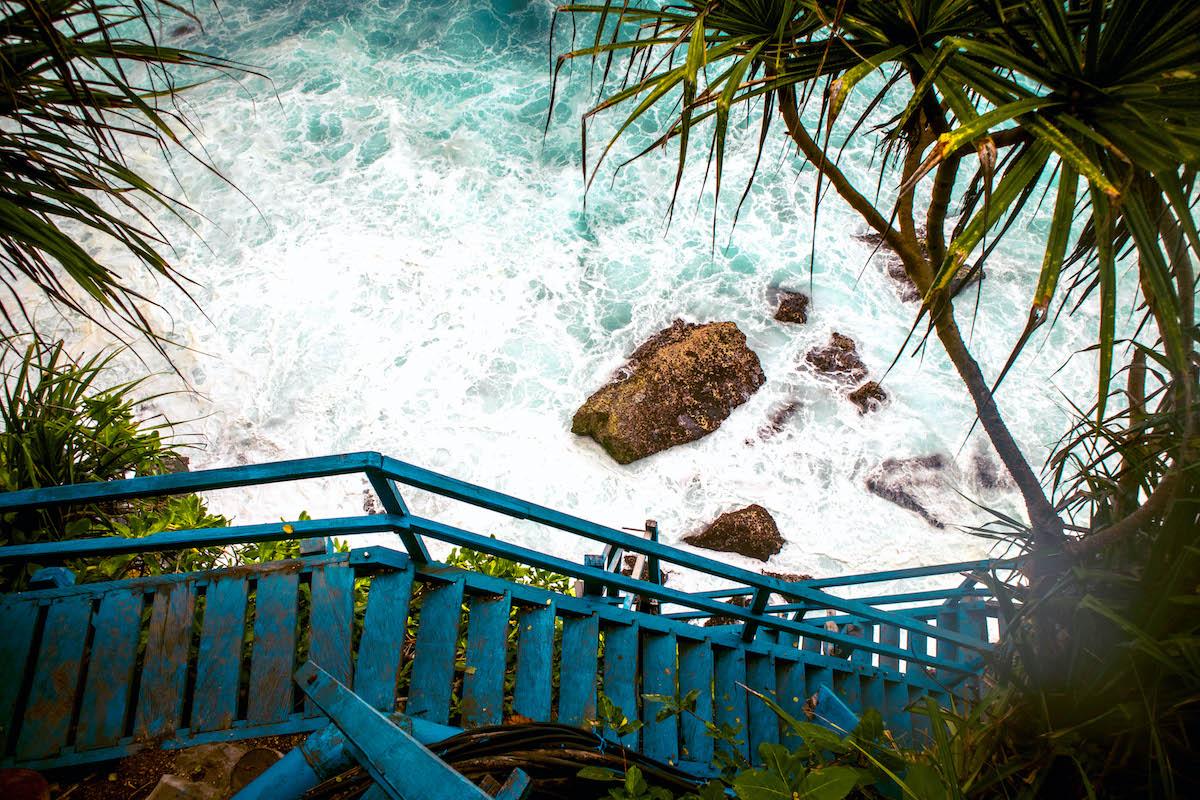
x=411 y=269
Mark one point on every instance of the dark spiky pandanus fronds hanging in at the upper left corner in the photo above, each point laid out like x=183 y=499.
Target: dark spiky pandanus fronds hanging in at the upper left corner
x=81 y=85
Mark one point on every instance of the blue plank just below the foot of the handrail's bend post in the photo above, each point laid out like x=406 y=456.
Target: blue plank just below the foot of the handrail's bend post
x=383 y=639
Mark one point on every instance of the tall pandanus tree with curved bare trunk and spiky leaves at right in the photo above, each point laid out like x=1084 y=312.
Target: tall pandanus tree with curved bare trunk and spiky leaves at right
x=1001 y=104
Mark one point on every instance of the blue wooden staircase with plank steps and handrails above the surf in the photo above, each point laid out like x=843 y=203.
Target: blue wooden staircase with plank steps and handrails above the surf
x=94 y=672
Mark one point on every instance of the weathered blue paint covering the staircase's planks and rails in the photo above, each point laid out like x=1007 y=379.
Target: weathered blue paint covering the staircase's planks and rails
x=761 y=648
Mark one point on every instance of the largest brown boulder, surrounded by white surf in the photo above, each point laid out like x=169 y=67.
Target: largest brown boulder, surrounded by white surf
x=677 y=388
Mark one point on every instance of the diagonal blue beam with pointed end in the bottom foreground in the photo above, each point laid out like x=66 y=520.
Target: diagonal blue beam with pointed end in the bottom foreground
x=400 y=766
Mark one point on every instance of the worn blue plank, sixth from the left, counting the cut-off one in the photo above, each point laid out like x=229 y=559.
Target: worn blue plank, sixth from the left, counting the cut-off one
x=273 y=653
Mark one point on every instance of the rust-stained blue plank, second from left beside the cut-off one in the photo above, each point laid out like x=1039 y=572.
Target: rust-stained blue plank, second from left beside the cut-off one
x=47 y=719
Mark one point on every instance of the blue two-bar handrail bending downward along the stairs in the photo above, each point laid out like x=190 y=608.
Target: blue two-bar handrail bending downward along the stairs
x=383 y=473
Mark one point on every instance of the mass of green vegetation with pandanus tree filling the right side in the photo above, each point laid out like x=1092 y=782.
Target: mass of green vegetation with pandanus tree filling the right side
x=1088 y=106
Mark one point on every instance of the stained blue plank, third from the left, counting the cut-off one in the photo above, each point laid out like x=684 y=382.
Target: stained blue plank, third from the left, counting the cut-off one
x=109 y=688
